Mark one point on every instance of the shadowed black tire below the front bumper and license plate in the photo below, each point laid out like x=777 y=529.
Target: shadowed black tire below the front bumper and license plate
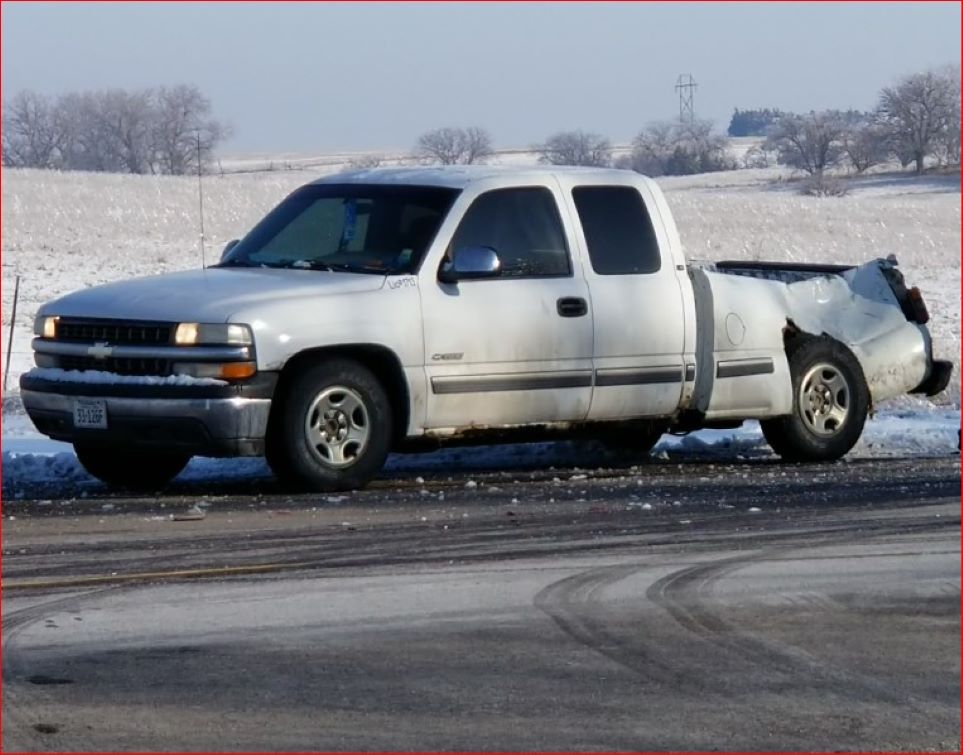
x=140 y=469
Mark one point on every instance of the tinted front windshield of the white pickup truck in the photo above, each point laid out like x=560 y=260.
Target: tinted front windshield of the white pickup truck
x=379 y=229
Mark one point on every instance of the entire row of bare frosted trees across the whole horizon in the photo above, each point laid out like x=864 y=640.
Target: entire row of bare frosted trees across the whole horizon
x=165 y=130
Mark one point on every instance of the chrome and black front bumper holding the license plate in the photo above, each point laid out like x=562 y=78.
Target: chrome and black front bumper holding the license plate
x=200 y=420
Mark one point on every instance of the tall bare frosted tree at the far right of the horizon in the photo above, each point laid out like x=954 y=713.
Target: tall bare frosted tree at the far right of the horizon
x=920 y=113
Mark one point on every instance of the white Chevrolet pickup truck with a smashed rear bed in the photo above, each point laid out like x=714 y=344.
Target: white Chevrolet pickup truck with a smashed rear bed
x=408 y=308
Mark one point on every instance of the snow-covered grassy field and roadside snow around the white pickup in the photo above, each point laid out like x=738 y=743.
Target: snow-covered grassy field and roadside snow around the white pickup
x=65 y=231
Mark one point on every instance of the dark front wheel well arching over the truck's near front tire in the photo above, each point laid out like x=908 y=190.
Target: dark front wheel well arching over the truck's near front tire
x=382 y=362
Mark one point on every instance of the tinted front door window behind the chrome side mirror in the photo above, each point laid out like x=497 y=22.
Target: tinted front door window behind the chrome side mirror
x=524 y=228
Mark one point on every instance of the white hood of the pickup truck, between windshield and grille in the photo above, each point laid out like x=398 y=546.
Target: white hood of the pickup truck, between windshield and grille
x=210 y=295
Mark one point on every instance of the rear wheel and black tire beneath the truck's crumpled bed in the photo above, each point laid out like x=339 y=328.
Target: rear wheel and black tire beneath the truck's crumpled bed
x=829 y=405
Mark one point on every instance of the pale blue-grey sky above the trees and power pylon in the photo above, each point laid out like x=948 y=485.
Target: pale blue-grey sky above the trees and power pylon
x=303 y=77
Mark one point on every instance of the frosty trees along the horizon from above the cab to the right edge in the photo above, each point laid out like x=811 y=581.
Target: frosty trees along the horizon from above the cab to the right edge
x=916 y=119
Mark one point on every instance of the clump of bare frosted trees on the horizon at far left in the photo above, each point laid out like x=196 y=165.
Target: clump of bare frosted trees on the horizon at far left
x=161 y=130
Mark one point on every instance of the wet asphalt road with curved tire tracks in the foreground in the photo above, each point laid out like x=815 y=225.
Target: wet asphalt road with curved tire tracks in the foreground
x=689 y=606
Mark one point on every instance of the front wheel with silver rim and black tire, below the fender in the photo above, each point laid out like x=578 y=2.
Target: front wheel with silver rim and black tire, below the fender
x=332 y=430
